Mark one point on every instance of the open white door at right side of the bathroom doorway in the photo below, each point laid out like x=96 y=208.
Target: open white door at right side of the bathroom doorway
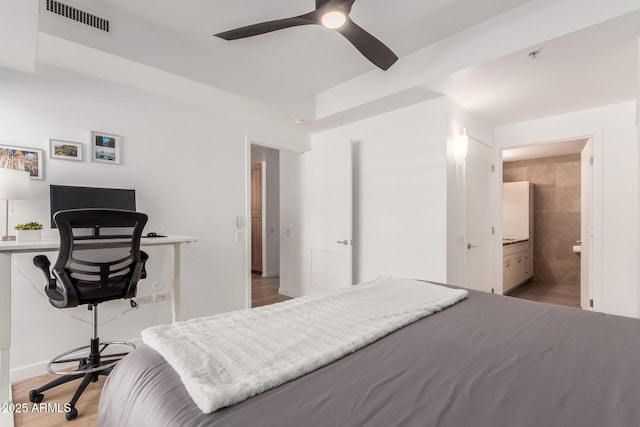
x=586 y=223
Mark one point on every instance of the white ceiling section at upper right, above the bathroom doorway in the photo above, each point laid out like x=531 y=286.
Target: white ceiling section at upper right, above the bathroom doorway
x=590 y=68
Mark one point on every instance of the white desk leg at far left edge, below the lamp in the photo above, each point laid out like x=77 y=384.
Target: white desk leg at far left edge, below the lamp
x=6 y=419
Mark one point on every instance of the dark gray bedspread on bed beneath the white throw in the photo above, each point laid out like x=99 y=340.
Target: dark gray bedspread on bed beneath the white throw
x=488 y=361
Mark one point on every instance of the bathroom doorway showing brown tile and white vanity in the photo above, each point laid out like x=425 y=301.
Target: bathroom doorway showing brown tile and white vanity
x=560 y=177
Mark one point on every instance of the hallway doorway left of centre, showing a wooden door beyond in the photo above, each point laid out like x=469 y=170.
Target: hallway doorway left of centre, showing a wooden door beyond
x=273 y=226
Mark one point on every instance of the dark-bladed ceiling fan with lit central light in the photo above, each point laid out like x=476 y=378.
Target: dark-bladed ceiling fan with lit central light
x=332 y=14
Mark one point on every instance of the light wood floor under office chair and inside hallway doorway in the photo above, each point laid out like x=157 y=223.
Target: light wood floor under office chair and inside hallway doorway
x=264 y=291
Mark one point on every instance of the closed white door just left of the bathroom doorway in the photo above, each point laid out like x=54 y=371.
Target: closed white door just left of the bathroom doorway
x=478 y=225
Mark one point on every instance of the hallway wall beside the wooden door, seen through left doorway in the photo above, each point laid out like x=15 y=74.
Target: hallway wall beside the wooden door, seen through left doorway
x=270 y=160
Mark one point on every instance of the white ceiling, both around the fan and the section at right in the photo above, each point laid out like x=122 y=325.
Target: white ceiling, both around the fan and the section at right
x=288 y=68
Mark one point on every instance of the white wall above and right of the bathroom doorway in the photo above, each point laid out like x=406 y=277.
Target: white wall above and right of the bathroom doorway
x=616 y=138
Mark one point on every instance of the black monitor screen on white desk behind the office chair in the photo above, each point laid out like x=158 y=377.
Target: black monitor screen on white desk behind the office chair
x=65 y=197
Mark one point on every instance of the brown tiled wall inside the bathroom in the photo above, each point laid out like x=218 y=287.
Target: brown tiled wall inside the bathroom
x=556 y=200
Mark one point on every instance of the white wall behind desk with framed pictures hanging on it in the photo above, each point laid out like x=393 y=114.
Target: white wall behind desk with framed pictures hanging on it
x=187 y=164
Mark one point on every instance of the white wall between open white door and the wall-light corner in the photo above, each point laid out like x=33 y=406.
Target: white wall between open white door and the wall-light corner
x=400 y=191
